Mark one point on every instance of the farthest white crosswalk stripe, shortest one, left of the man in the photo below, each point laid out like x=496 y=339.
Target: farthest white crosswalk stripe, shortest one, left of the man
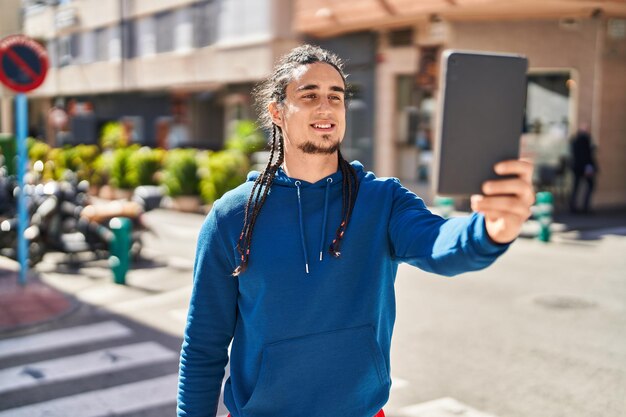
x=56 y=339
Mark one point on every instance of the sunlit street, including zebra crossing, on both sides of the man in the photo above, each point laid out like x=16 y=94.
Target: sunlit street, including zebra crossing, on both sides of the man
x=540 y=333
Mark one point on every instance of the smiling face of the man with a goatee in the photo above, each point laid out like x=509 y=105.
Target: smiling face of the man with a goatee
x=313 y=114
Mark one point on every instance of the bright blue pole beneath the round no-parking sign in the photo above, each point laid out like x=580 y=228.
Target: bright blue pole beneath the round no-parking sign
x=21 y=112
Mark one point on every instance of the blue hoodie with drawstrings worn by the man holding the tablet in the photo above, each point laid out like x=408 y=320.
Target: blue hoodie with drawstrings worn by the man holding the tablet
x=311 y=333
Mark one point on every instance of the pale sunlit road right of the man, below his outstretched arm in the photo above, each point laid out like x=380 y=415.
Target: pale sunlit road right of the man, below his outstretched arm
x=541 y=333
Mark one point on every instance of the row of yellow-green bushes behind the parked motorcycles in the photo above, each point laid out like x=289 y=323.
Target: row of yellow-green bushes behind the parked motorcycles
x=182 y=171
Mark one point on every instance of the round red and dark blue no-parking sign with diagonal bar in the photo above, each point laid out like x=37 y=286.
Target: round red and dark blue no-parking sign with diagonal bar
x=23 y=63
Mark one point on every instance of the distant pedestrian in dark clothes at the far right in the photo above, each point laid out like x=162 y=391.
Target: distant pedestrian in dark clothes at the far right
x=584 y=168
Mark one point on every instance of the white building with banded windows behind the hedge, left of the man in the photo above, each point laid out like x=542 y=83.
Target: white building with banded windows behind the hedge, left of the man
x=175 y=72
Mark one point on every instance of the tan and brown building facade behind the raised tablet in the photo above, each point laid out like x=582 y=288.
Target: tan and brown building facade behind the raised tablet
x=577 y=58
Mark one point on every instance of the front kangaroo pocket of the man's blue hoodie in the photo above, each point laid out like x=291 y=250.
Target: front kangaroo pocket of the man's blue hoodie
x=343 y=371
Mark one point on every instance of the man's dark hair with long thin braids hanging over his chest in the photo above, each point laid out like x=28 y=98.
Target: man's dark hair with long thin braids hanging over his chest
x=273 y=89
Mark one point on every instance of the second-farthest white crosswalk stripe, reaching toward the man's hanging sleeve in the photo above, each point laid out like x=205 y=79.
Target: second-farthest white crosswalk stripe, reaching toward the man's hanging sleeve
x=83 y=365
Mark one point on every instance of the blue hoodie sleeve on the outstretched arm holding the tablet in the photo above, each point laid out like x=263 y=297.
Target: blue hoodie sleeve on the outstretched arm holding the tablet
x=446 y=247
